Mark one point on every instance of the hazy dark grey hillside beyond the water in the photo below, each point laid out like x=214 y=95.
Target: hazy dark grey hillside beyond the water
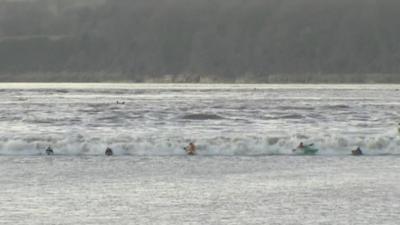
x=200 y=40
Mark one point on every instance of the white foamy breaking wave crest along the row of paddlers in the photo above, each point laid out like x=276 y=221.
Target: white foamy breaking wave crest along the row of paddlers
x=222 y=145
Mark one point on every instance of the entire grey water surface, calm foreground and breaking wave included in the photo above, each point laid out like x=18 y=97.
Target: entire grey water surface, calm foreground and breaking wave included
x=244 y=172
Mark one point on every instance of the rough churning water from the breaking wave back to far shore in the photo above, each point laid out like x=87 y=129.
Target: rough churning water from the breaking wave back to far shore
x=159 y=120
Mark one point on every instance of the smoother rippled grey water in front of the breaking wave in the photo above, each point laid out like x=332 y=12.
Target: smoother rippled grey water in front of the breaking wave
x=171 y=190
